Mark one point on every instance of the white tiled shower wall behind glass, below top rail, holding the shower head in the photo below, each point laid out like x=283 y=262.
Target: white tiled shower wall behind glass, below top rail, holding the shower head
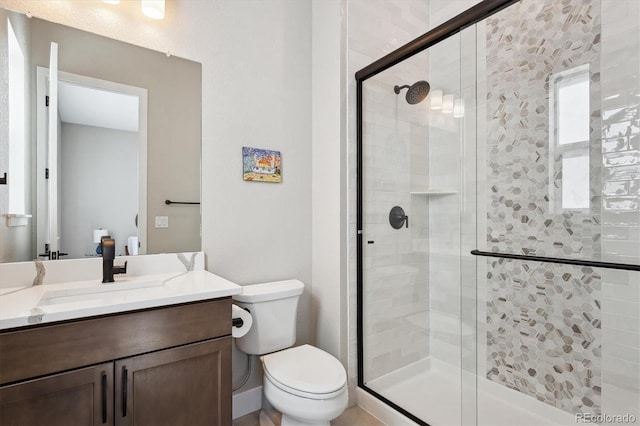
x=396 y=296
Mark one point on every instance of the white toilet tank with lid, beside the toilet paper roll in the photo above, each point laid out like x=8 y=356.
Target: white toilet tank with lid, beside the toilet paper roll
x=273 y=307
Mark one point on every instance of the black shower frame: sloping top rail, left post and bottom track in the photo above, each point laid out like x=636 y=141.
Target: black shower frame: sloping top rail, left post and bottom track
x=471 y=16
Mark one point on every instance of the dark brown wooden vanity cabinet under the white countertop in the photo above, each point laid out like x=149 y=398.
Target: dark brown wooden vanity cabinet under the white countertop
x=162 y=366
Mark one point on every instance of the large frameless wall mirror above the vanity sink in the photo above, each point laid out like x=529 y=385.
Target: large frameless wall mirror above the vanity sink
x=97 y=177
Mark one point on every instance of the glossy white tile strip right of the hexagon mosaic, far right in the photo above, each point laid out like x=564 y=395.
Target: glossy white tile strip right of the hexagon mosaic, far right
x=620 y=85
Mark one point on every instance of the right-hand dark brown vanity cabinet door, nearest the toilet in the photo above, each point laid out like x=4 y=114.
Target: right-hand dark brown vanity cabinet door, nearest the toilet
x=187 y=385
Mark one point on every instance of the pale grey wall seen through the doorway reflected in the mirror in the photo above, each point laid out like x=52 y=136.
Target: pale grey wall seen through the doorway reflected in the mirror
x=98 y=177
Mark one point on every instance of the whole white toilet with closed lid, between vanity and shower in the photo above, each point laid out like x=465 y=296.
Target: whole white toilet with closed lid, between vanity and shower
x=306 y=384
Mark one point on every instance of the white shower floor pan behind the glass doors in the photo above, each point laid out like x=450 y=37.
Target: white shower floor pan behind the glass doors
x=430 y=389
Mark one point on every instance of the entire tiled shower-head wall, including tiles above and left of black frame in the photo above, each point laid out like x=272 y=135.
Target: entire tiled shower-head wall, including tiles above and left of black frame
x=396 y=297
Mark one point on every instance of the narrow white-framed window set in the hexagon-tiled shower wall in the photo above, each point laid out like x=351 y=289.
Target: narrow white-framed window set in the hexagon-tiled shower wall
x=569 y=137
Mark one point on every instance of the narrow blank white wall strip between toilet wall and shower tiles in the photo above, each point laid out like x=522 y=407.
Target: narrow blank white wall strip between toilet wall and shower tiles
x=328 y=182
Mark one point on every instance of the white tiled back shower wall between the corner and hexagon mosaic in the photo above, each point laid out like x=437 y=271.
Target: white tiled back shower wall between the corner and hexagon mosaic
x=452 y=169
